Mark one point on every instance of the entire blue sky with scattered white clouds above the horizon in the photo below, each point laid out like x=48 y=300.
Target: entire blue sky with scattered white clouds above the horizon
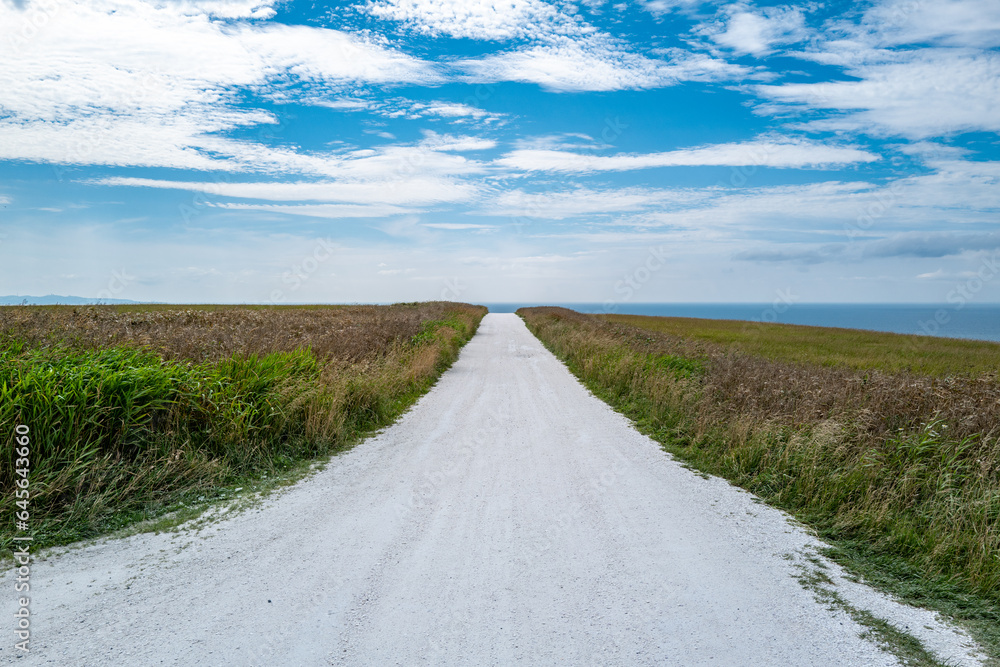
x=392 y=150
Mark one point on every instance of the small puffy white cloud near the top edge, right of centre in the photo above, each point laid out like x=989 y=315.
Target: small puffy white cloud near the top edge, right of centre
x=757 y=32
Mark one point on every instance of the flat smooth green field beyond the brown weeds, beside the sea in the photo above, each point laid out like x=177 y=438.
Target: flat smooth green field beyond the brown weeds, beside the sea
x=850 y=348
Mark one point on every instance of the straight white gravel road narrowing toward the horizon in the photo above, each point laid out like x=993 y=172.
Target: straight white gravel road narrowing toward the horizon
x=510 y=518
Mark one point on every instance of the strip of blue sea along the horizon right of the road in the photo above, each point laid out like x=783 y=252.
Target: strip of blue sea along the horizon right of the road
x=975 y=321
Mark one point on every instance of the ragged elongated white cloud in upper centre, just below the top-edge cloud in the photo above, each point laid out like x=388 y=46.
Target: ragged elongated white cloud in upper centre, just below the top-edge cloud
x=597 y=63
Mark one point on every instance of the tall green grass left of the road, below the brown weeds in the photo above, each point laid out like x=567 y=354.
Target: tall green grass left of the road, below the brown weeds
x=120 y=435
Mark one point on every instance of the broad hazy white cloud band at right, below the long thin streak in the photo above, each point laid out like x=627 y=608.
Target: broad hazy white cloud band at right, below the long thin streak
x=956 y=194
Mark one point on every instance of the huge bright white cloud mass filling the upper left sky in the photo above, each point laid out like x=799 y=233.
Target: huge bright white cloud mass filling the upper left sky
x=126 y=82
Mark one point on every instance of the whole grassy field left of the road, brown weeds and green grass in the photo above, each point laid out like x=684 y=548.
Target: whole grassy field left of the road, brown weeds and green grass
x=136 y=410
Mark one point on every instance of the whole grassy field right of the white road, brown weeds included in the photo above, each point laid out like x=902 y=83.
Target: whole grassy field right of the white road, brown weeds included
x=899 y=470
